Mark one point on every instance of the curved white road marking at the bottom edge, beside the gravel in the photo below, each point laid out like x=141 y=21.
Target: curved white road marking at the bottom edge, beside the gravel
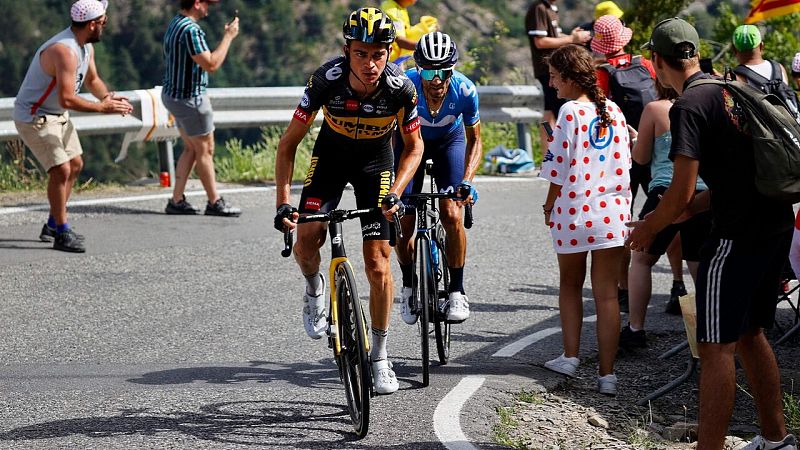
x=447 y=416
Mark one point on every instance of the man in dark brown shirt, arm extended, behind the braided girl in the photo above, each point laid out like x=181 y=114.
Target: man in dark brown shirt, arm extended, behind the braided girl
x=544 y=36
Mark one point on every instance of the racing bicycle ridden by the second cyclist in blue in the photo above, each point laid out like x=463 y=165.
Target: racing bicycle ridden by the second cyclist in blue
x=429 y=300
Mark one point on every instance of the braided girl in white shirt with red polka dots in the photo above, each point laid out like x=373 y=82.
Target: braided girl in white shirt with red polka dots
x=587 y=206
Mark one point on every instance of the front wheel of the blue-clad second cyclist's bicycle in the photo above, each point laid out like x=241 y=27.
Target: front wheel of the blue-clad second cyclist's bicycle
x=423 y=293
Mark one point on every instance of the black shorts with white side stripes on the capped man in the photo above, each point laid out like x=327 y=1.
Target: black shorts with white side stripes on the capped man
x=737 y=286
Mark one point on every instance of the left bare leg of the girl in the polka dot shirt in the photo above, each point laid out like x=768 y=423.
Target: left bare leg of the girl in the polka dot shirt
x=572 y=273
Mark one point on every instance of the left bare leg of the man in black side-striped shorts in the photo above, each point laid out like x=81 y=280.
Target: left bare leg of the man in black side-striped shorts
x=717 y=392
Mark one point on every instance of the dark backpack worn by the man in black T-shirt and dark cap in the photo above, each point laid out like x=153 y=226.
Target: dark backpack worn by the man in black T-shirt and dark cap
x=776 y=139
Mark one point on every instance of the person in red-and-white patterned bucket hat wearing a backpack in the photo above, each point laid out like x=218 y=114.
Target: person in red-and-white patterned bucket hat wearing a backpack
x=628 y=80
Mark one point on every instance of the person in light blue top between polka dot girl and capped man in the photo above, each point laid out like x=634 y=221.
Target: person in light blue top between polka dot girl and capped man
x=652 y=148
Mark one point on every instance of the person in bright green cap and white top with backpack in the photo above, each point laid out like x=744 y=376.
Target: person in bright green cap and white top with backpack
x=765 y=74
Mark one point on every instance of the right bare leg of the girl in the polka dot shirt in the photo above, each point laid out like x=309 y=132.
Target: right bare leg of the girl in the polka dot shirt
x=605 y=265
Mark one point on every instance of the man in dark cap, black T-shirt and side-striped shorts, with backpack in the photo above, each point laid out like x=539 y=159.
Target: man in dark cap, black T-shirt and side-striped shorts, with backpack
x=713 y=126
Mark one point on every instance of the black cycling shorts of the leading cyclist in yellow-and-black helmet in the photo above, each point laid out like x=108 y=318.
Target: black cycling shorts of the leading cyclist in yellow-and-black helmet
x=369 y=171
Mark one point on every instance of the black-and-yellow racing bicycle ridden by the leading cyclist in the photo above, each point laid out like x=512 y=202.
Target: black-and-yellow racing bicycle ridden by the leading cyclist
x=348 y=332
